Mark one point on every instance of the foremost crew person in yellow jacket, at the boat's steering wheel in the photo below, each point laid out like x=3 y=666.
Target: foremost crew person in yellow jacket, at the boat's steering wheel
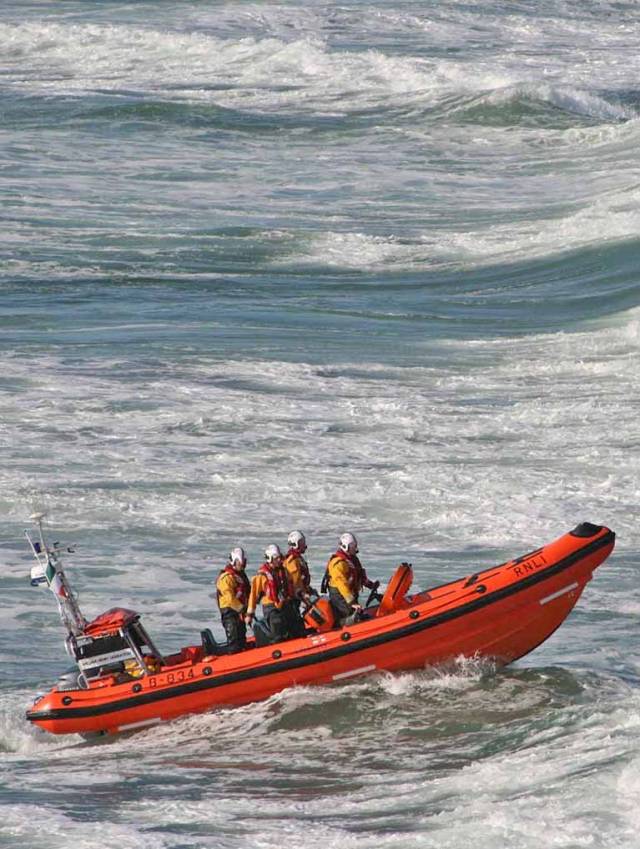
x=345 y=577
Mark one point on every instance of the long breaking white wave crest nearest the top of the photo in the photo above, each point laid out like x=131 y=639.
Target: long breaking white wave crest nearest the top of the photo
x=254 y=74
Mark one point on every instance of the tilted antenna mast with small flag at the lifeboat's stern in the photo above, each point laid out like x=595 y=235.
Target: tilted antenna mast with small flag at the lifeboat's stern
x=48 y=570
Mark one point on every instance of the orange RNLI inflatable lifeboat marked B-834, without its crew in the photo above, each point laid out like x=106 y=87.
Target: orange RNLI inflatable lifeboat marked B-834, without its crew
x=501 y=613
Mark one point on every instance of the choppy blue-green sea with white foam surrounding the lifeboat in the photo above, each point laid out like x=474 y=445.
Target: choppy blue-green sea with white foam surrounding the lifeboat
x=362 y=266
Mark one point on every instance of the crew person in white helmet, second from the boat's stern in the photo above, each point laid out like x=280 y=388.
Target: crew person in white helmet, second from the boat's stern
x=272 y=587
